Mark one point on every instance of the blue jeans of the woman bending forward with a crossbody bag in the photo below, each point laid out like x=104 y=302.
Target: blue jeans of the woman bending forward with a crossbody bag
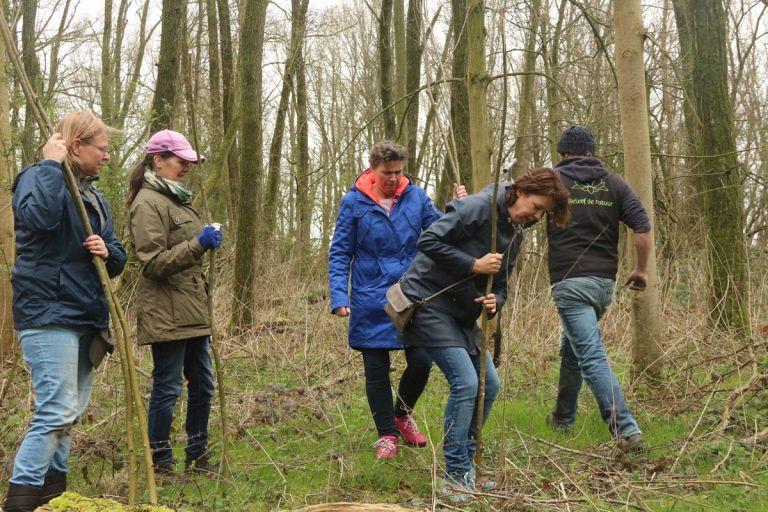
x=462 y=370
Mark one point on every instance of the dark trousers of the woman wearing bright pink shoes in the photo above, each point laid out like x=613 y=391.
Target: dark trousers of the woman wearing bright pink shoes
x=379 y=390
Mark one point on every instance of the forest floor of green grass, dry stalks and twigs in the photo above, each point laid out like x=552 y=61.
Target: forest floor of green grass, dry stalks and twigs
x=301 y=432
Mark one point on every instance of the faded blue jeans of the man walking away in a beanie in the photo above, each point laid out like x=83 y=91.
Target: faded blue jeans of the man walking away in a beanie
x=581 y=302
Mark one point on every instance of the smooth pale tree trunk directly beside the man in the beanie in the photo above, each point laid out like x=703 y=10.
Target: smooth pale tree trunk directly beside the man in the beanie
x=633 y=106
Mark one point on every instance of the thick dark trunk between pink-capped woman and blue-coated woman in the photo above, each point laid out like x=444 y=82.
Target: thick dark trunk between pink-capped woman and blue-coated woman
x=251 y=52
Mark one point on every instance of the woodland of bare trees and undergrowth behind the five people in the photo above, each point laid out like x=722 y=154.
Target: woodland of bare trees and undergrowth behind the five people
x=287 y=97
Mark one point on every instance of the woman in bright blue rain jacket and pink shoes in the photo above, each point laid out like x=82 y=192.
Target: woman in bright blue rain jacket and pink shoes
x=379 y=222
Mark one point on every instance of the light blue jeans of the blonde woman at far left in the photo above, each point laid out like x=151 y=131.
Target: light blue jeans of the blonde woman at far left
x=62 y=378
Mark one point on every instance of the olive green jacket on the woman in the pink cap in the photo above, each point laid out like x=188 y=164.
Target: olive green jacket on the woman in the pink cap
x=172 y=292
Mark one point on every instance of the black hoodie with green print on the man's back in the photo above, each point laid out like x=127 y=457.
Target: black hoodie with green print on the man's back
x=587 y=246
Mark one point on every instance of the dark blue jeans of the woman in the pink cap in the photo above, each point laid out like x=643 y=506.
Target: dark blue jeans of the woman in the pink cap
x=171 y=358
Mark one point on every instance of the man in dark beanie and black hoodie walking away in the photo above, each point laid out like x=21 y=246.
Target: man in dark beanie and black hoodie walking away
x=583 y=260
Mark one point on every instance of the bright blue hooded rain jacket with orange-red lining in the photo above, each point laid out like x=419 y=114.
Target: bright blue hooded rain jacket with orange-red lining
x=370 y=251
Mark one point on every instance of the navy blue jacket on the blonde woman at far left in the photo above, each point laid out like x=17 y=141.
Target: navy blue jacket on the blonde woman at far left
x=54 y=280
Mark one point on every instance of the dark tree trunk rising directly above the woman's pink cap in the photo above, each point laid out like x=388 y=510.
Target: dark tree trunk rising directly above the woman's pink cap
x=165 y=102
